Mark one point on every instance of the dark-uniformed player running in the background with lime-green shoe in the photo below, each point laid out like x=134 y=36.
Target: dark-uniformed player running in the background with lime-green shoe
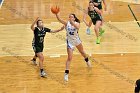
x=96 y=19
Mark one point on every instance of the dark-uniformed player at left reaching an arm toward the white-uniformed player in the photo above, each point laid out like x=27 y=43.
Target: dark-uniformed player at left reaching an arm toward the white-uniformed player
x=39 y=34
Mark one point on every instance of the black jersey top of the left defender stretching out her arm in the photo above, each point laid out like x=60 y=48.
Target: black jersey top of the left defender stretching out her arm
x=39 y=36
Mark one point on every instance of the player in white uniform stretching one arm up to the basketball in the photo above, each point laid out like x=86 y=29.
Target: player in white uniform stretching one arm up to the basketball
x=73 y=40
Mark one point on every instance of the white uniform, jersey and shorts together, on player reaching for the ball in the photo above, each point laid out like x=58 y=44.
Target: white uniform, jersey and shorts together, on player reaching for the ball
x=72 y=36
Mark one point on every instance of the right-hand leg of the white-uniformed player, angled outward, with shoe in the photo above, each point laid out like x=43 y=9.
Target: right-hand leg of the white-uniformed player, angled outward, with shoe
x=81 y=50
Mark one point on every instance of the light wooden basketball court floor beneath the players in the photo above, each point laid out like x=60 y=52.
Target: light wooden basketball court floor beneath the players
x=115 y=61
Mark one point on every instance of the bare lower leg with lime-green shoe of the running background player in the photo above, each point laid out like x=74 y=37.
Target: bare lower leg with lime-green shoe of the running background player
x=96 y=28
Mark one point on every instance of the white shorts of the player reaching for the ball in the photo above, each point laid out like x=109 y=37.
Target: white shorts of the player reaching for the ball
x=72 y=43
